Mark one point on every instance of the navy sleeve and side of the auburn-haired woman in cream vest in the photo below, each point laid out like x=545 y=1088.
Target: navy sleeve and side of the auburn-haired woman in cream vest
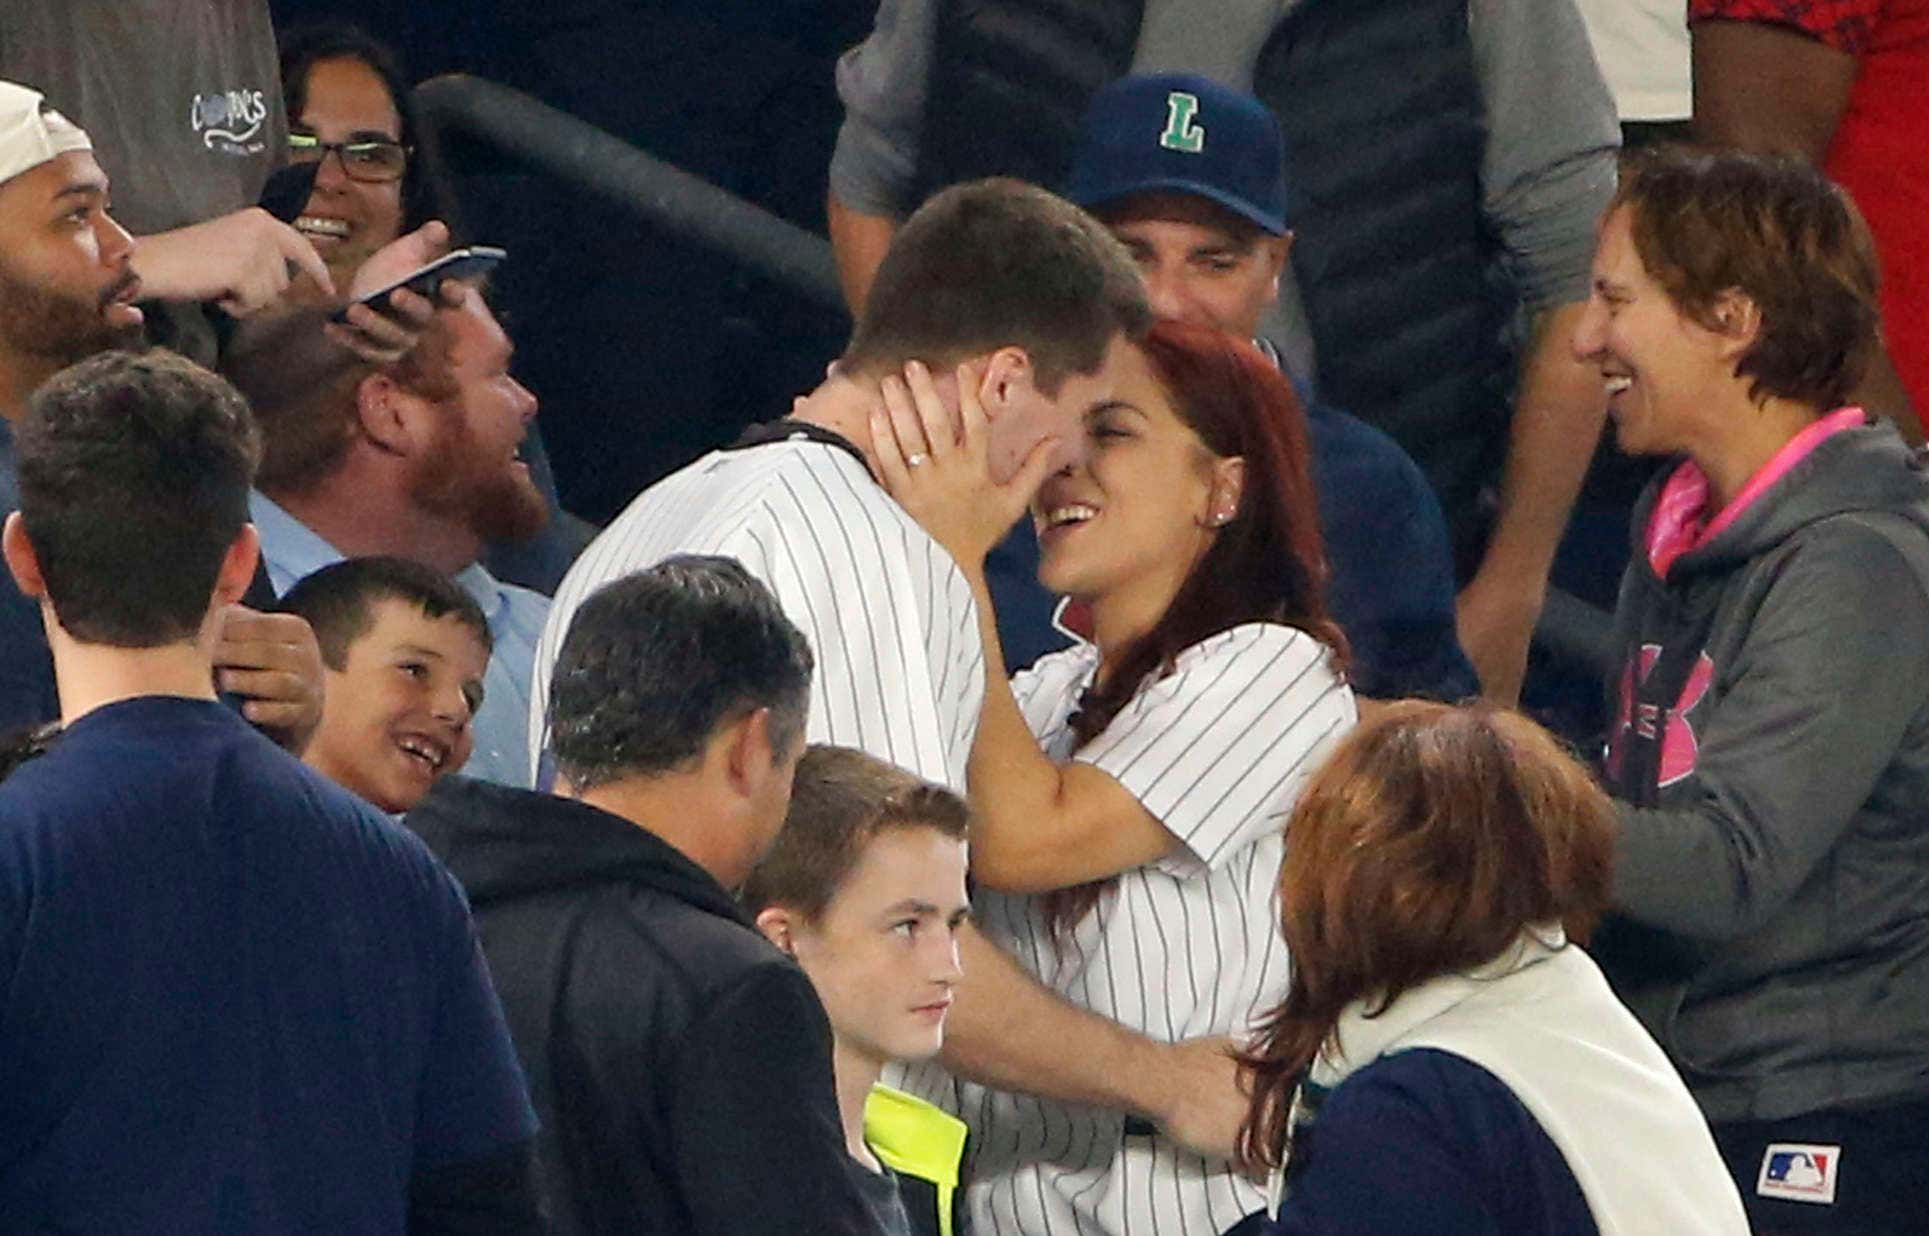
x=1426 y=1142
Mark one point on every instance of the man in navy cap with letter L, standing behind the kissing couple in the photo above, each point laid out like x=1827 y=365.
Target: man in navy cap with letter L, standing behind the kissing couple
x=1189 y=176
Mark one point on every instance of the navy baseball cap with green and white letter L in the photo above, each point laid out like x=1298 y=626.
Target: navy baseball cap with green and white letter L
x=1187 y=134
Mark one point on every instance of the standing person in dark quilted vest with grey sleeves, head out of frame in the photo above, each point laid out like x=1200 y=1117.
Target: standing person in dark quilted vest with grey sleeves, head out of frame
x=1450 y=161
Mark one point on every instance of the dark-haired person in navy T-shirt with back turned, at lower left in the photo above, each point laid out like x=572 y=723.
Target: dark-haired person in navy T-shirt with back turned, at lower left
x=232 y=996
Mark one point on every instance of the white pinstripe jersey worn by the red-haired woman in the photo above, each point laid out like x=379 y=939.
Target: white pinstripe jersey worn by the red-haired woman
x=1183 y=948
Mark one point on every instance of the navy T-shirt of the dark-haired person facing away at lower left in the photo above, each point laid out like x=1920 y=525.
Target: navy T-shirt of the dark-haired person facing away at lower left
x=232 y=998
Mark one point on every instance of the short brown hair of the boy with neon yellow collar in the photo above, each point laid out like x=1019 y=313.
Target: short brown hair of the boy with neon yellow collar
x=840 y=803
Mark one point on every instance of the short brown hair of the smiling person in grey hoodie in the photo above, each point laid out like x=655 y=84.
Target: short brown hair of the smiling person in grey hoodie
x=1776 y=230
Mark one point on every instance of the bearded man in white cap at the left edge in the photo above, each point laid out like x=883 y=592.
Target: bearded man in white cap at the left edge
x=68 y=290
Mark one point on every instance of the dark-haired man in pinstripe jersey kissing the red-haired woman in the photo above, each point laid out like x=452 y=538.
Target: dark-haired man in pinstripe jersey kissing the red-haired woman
x=1035 y=302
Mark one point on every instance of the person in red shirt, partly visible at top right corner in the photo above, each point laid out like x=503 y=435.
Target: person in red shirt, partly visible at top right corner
x=1847 y=86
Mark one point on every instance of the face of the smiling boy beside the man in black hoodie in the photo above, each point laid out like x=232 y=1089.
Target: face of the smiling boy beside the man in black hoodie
x=396 y=718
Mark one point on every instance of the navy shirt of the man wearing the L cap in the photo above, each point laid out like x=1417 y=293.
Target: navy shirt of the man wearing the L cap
x=1392 y=568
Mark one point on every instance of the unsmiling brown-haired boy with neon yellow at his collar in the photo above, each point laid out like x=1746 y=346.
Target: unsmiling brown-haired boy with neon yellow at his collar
x=867 y=892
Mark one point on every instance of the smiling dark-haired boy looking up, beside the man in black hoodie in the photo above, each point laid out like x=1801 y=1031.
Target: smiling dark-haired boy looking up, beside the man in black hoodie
x=404 y=657
